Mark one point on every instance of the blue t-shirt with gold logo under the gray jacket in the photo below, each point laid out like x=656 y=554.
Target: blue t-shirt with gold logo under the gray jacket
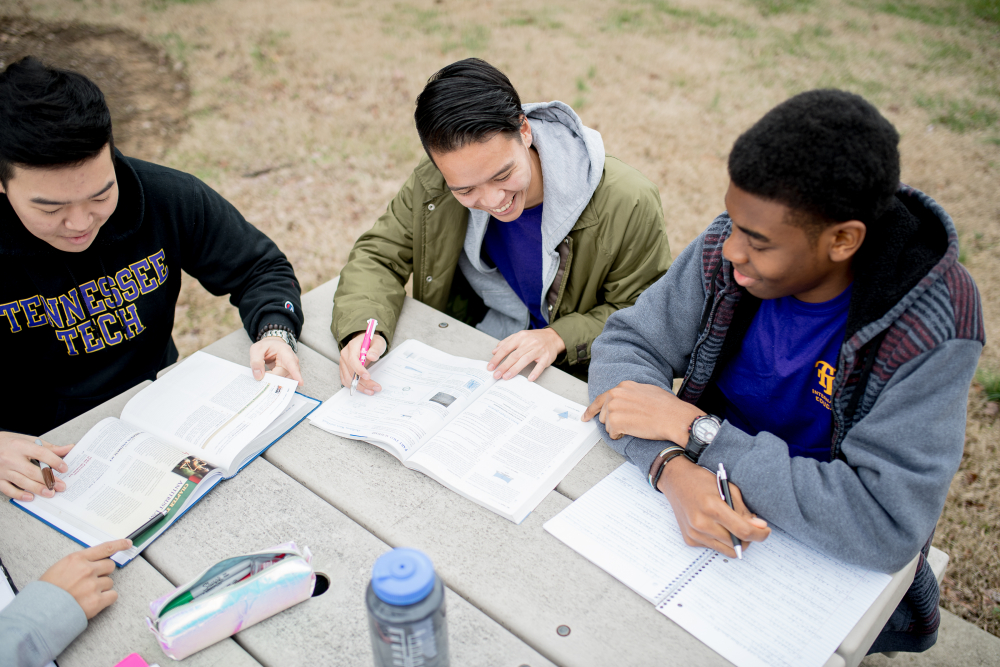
x=781 y=380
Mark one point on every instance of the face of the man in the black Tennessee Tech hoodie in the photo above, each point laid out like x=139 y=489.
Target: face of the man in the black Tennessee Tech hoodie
x=65 y=206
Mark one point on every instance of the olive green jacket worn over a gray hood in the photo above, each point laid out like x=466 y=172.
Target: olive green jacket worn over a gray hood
x=617 y=248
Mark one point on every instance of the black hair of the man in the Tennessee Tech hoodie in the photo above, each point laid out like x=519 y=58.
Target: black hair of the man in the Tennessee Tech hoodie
x=49 y=117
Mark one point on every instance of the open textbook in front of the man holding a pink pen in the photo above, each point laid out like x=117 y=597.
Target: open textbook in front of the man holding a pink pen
x=501 y=443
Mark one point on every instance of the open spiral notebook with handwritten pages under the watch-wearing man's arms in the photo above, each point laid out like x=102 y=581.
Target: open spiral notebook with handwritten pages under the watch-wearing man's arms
x=784 y=604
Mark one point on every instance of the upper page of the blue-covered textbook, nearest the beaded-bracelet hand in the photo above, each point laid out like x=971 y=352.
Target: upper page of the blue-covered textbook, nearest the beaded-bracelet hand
x=210 y=407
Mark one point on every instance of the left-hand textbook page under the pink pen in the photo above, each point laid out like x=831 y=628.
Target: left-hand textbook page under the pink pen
x=422 y=390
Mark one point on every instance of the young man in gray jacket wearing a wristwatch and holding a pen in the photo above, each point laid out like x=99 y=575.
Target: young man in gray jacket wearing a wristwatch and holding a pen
x=827 y=336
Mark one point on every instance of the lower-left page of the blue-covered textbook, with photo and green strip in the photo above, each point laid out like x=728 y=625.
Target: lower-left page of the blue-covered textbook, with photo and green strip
x=118 y=479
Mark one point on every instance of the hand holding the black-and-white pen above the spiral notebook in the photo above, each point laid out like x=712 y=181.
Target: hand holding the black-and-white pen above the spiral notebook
x=702 y=515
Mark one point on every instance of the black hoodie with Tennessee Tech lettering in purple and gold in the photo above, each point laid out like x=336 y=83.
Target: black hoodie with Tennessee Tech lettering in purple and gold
x=80 y=328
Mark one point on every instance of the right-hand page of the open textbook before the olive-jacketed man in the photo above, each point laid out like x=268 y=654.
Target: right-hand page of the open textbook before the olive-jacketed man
x=509 y=448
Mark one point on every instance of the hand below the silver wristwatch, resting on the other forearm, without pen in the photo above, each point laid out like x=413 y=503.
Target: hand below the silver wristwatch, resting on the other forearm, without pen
x=644 y=411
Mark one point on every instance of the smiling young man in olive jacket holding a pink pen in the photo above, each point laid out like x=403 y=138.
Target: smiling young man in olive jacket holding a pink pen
x=515 y=222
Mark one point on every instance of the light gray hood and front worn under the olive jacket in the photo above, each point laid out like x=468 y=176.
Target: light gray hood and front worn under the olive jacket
x=572 y=158
